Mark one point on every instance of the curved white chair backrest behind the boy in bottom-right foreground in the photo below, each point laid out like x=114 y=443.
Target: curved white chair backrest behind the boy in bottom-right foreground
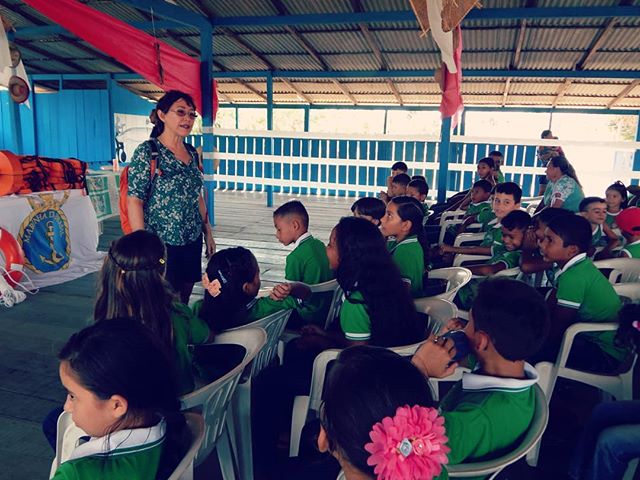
x=531 y=437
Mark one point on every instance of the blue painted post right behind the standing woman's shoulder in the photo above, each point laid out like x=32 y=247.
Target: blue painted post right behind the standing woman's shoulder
x=206 y=84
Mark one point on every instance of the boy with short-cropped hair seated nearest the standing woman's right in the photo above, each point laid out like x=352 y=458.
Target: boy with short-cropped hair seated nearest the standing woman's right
x=308 y=262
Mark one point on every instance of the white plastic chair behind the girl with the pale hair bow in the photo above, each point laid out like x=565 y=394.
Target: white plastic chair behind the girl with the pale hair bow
x=239 y=418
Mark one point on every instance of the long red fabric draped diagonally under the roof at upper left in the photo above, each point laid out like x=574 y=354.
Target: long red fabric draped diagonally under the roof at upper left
x=156 y=61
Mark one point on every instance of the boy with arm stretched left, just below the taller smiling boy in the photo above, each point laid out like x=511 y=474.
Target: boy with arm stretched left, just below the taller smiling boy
x=514 y=227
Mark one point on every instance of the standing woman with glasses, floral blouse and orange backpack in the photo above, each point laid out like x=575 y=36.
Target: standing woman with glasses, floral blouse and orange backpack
x=170 y=203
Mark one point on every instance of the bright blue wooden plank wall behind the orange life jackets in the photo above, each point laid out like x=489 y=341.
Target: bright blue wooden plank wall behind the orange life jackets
x=68 y=123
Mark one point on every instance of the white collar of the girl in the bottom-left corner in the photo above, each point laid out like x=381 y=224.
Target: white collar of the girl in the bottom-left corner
x=138 y=438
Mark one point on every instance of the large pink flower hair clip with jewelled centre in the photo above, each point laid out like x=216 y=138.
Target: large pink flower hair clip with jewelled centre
x=411 y=445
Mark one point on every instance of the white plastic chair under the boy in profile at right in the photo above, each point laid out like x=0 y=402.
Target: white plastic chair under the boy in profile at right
x=618 y=385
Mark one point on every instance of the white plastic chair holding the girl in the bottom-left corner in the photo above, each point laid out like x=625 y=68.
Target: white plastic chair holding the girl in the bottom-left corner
x=69 y=433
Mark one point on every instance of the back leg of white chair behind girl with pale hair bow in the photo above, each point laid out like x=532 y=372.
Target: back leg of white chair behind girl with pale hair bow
x=239 y=421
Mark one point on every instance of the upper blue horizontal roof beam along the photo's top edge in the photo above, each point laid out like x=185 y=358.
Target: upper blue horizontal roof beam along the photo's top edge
x=409 y=16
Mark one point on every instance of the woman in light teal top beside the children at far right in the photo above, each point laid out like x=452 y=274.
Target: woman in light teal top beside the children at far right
x=564 y=189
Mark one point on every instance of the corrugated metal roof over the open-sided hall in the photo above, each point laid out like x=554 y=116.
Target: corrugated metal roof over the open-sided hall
x=554 y=50
